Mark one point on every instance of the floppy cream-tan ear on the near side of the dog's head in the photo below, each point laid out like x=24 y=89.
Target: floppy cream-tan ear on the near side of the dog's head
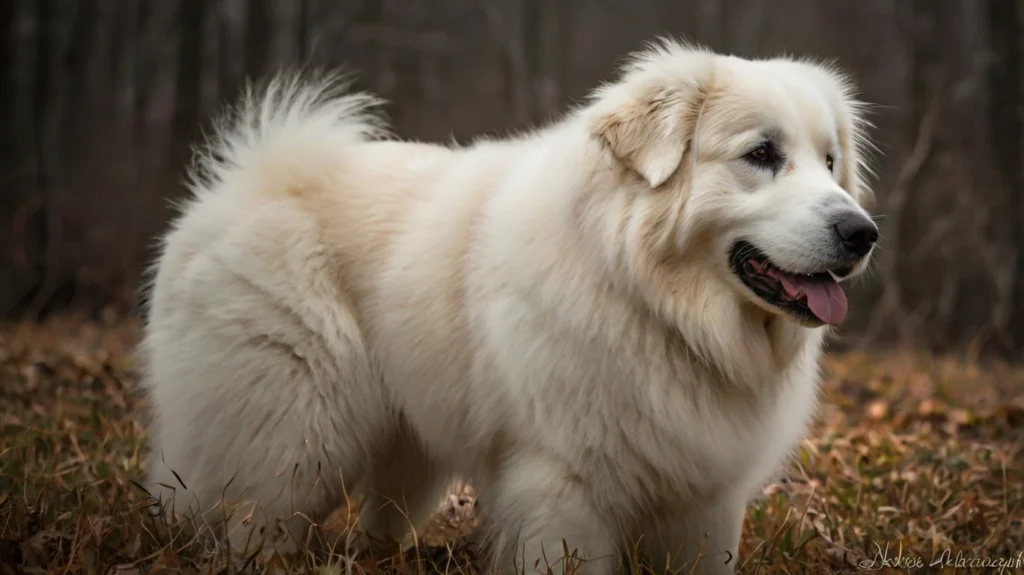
x=650 y=129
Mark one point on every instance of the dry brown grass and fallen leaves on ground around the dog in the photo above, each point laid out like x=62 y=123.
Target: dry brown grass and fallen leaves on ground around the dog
x=919 y=454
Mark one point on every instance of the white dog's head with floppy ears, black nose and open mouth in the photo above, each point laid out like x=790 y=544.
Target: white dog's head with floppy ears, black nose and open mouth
x=752 y=169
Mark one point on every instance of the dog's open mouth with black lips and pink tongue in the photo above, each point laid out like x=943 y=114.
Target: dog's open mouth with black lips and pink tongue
x=812 y=298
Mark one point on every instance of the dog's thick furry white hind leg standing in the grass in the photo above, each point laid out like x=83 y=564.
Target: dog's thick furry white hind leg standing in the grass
x=259 y=432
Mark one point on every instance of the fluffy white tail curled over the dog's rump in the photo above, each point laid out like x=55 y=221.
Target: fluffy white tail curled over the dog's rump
x=285 y=136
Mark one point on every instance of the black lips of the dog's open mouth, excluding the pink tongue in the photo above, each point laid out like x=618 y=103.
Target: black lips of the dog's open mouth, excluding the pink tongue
x=744 y=253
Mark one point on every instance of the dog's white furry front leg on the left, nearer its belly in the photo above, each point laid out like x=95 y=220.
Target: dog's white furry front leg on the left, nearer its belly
x=534 y=512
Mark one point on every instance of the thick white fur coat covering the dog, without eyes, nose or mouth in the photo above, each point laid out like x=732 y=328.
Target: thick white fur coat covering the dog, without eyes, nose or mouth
x=551 y=316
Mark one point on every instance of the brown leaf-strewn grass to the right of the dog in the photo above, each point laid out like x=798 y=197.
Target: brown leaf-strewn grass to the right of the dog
x=916 y=463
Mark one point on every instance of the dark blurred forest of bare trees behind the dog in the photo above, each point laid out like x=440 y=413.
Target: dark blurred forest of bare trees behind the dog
x=102 y=100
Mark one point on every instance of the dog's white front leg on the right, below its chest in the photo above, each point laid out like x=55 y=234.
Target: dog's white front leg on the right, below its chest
x=704 y=541
